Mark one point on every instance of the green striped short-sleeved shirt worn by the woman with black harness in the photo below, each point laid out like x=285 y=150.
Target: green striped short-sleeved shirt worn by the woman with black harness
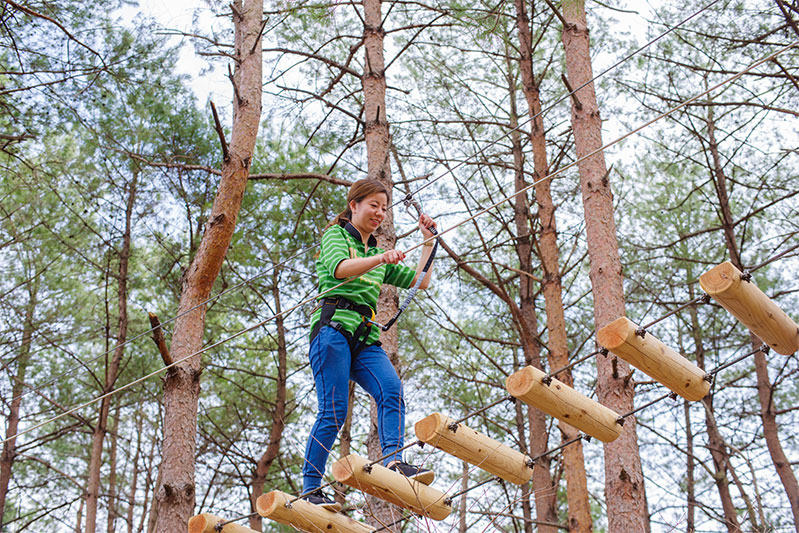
x=340 y=243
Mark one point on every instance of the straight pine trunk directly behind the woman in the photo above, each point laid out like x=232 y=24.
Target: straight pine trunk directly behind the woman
x=377 y=138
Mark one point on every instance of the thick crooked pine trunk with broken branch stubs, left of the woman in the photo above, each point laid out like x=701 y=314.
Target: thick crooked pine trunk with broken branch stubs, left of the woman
x=176 y=491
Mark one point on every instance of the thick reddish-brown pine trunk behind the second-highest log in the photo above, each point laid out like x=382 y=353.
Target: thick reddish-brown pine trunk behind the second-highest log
x=624 y=480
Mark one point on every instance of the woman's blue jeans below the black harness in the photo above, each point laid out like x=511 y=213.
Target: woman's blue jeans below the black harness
x=333 y=368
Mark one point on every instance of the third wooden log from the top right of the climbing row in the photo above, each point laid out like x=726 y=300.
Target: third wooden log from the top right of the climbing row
x=564 y=403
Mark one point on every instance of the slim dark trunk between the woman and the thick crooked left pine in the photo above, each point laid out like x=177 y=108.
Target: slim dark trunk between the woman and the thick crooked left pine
x=278 y=421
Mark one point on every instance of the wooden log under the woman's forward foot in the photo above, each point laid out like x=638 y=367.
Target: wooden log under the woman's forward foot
x=391 y=486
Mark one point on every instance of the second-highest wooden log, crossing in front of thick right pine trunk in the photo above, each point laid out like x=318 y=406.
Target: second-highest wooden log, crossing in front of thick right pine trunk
x=654 y=358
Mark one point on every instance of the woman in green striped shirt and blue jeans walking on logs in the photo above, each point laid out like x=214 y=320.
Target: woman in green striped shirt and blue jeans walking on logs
x=344 y=344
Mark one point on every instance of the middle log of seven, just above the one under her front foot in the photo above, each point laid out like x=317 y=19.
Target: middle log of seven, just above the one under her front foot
x=475 y=448
